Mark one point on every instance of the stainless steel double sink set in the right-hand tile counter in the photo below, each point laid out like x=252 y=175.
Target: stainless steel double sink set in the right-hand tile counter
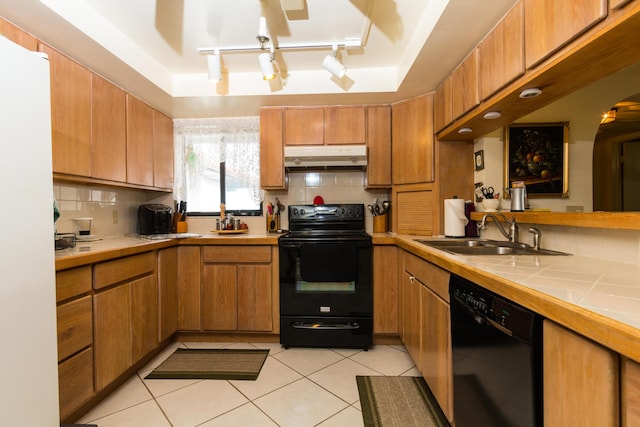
x=486 y=247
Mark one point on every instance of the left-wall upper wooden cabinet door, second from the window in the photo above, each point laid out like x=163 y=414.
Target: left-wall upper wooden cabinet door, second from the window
x=139 y=142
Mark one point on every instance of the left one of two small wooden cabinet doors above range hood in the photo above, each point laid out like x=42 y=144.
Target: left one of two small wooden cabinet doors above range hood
x=304 y=126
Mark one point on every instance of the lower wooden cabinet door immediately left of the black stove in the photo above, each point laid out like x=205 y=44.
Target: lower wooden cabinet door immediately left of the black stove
x=254 y=298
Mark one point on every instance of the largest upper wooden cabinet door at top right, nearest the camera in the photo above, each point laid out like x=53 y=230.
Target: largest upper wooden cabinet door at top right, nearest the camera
x=551 y=24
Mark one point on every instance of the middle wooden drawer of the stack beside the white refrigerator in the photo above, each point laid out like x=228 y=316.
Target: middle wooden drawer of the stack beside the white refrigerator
x=75 y=330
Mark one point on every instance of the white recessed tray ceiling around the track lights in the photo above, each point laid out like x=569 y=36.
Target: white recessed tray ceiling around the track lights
x=150 y=47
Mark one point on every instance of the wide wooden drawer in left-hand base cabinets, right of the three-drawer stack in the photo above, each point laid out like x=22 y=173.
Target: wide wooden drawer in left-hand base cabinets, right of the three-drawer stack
x=119 y=270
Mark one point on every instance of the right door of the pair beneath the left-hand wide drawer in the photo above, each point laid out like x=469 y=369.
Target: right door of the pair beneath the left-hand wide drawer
x=144 y=316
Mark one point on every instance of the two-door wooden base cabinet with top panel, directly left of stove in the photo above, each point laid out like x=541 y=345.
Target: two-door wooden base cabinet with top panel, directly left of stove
x=237 y=288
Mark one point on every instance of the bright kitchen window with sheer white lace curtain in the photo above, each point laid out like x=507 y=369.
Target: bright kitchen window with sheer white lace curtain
x=218 y=161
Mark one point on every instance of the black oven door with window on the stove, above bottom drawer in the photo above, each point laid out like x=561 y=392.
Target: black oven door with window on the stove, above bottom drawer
x=326 y=277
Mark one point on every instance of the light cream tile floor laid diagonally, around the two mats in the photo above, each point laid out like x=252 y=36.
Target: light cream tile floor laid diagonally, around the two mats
x=296 y=387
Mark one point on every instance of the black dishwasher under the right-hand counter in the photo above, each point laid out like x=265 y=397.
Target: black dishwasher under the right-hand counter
x=497 y=359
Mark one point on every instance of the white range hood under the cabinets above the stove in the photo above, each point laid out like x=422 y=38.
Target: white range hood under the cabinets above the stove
x=324 y=156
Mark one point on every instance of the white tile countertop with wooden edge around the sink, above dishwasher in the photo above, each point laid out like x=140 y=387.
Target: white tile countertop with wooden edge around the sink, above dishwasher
x=597 y=298
